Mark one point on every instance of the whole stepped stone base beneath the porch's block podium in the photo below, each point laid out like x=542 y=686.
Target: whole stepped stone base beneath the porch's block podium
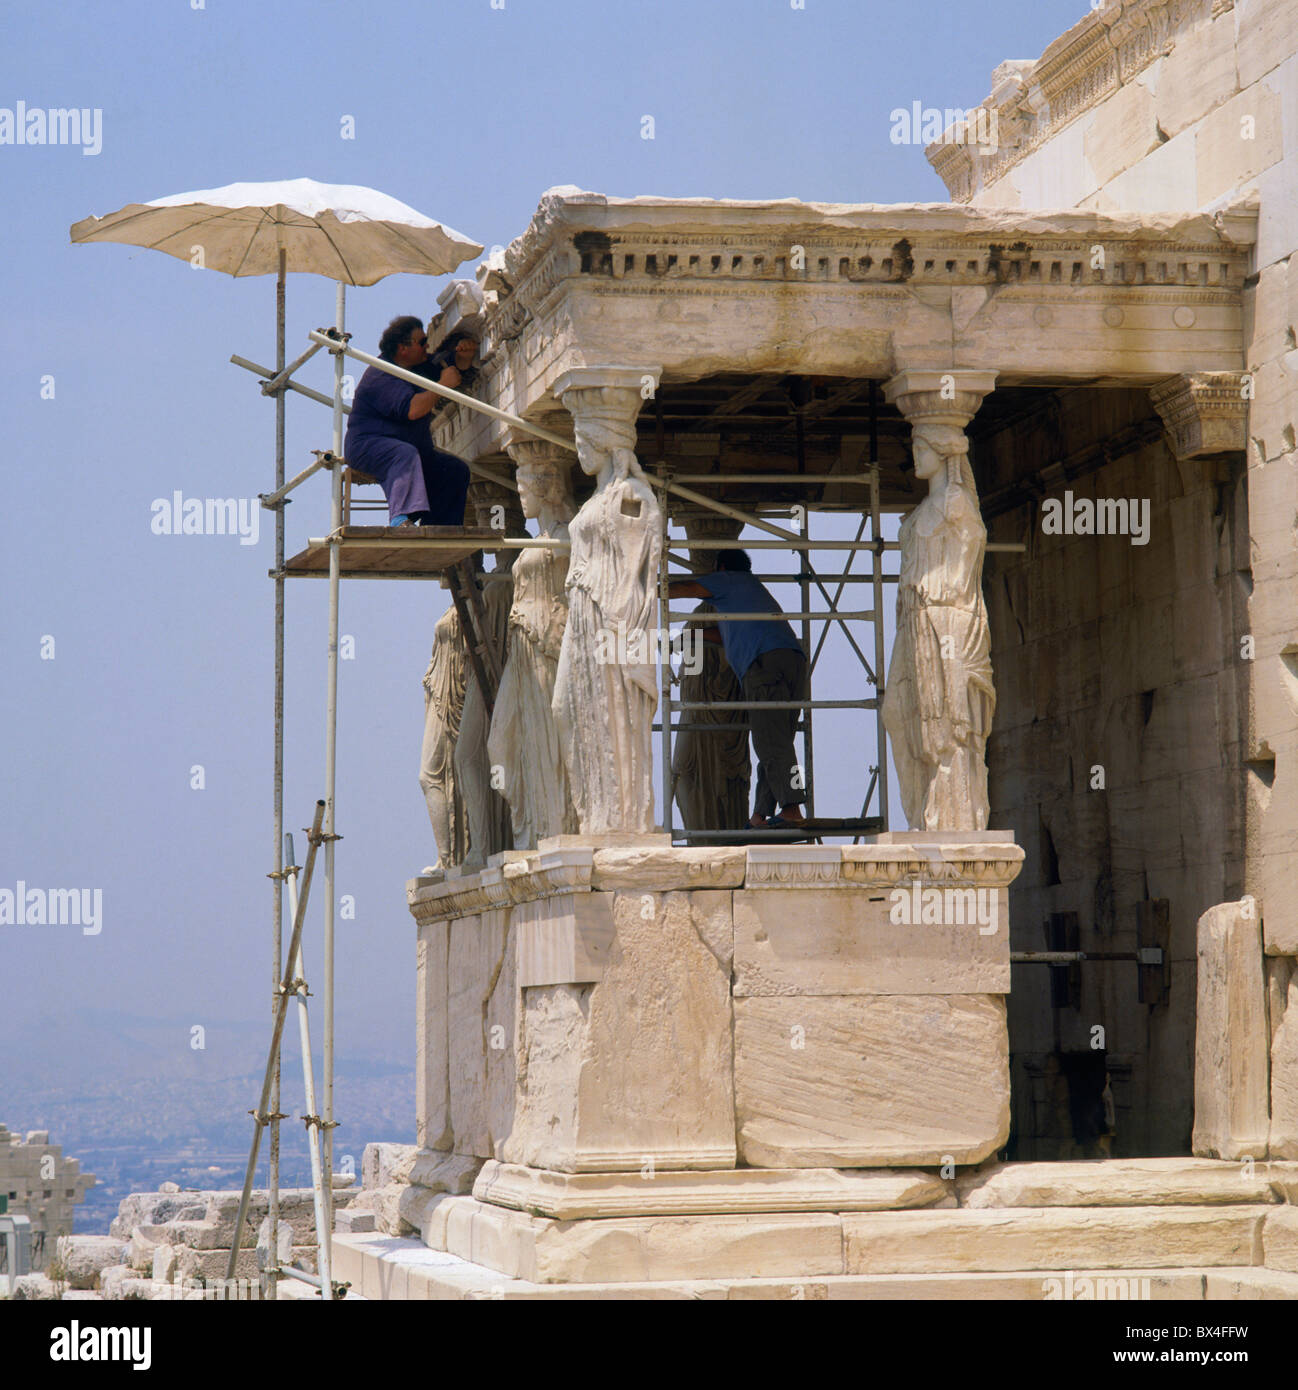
x=1107 y=1229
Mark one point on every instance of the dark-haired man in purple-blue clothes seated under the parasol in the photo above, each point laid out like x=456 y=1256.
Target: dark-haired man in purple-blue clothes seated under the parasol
x=390 y=437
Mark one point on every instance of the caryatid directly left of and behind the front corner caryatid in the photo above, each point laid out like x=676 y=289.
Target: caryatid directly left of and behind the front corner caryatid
x=525 y=737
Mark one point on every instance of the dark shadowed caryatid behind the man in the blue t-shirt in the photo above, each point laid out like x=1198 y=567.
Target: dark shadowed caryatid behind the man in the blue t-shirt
x=711 y=769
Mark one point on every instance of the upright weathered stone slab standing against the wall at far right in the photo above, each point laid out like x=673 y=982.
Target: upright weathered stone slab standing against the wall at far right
x=1231 y=1056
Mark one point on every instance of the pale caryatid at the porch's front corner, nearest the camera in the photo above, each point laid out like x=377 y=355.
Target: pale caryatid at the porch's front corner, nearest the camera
x=607 y=687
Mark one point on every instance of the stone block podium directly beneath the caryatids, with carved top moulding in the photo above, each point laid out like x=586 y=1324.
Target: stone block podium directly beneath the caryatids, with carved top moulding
x=615 y=1004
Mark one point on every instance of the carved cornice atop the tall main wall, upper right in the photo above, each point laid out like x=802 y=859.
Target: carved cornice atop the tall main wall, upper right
x=1030 y=104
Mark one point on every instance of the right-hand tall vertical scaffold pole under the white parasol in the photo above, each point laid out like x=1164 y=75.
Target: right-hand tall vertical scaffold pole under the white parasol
x=331 y=768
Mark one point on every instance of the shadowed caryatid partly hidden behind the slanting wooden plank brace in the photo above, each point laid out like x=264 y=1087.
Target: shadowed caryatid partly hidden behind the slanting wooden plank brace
x=488 y=814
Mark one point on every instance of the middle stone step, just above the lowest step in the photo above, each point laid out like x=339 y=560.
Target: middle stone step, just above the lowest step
x=808 y=1245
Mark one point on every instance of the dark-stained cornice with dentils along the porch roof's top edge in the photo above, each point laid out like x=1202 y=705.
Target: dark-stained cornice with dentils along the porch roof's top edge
x=698 y=248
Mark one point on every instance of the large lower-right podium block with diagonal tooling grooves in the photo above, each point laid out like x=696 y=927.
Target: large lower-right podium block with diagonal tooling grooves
x=871 y=1081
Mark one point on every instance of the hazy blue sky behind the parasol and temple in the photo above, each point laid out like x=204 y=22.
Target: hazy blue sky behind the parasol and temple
x=163 y=650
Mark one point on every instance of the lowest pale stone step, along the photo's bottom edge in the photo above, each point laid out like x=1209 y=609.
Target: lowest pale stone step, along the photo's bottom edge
x=387 y=1267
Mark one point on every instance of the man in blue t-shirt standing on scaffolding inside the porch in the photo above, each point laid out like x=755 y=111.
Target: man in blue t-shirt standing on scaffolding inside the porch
x=771 y=665
